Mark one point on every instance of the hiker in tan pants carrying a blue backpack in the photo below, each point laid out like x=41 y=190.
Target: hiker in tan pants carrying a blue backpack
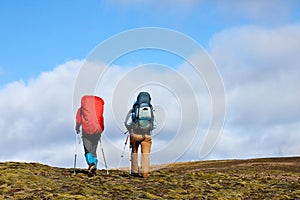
x=139 y=123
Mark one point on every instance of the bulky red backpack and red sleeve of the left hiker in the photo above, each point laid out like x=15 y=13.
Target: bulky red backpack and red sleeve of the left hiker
x=90 y=115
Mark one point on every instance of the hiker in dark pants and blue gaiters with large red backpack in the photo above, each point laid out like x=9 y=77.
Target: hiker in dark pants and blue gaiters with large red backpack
x=90 y=118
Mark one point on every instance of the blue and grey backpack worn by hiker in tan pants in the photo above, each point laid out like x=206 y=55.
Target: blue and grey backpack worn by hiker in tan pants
x=142 y=113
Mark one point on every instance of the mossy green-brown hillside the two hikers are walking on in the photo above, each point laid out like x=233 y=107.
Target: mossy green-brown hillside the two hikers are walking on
x=269 y=178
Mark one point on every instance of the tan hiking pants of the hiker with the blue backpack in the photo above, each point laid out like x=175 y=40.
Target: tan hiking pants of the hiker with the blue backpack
x=145 y=141
